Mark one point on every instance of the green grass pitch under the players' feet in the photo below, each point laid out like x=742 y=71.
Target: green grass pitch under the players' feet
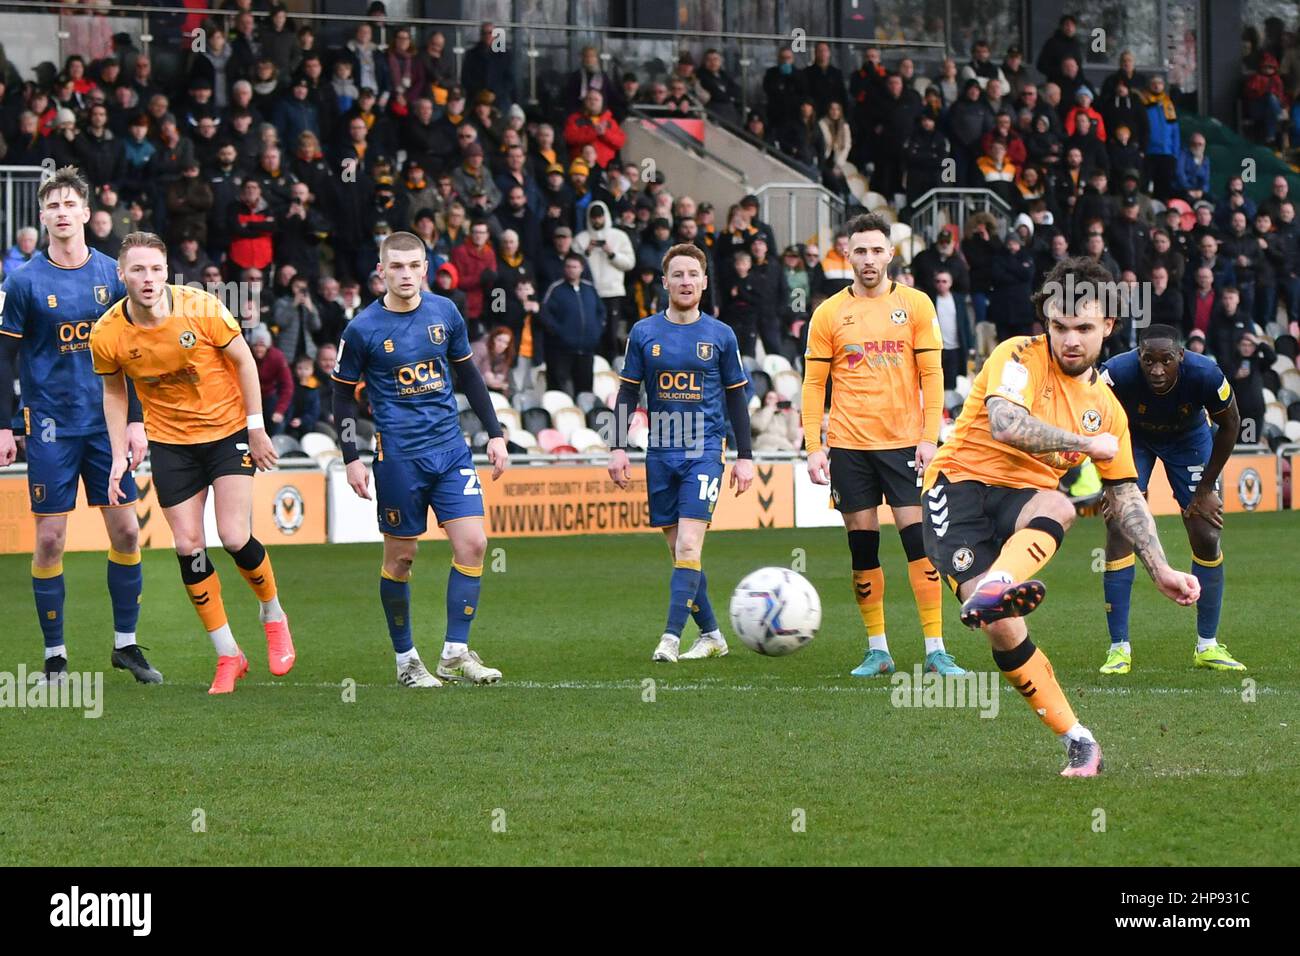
x=565 y=763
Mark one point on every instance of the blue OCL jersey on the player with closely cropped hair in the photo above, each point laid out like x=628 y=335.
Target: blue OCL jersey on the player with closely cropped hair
x=405 y=360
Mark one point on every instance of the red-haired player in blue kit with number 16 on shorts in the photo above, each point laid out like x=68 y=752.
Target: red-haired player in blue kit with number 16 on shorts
x=691 y=367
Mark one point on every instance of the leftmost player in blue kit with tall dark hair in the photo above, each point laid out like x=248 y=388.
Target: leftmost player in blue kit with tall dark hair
x=47 y=309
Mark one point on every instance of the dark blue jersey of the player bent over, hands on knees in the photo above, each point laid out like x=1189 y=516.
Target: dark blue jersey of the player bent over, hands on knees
x=1201 y=388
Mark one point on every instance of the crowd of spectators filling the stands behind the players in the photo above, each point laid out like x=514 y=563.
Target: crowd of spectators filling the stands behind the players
x=272 y=161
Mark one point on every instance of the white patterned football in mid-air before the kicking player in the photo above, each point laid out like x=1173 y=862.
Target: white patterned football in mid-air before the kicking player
x=775 y=612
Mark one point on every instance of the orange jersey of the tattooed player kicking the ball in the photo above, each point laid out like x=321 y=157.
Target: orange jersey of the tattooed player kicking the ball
x=1024 y=371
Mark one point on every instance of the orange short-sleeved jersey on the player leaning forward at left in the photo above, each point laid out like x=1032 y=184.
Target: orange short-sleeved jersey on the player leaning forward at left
x=187 y=386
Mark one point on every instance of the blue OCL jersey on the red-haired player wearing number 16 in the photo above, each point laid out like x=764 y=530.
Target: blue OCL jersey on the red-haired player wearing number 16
x=687 y=371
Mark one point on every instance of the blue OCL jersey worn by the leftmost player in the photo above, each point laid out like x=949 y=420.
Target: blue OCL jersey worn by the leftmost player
x=53 y=310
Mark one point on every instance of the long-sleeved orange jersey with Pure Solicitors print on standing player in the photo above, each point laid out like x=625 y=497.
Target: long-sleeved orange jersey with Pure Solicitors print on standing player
x=878 y=353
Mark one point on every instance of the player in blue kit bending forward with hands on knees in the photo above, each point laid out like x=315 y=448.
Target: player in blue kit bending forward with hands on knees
x=1171 y=397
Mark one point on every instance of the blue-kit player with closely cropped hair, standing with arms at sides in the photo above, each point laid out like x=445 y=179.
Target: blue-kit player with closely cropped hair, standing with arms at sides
x=408 y=348
